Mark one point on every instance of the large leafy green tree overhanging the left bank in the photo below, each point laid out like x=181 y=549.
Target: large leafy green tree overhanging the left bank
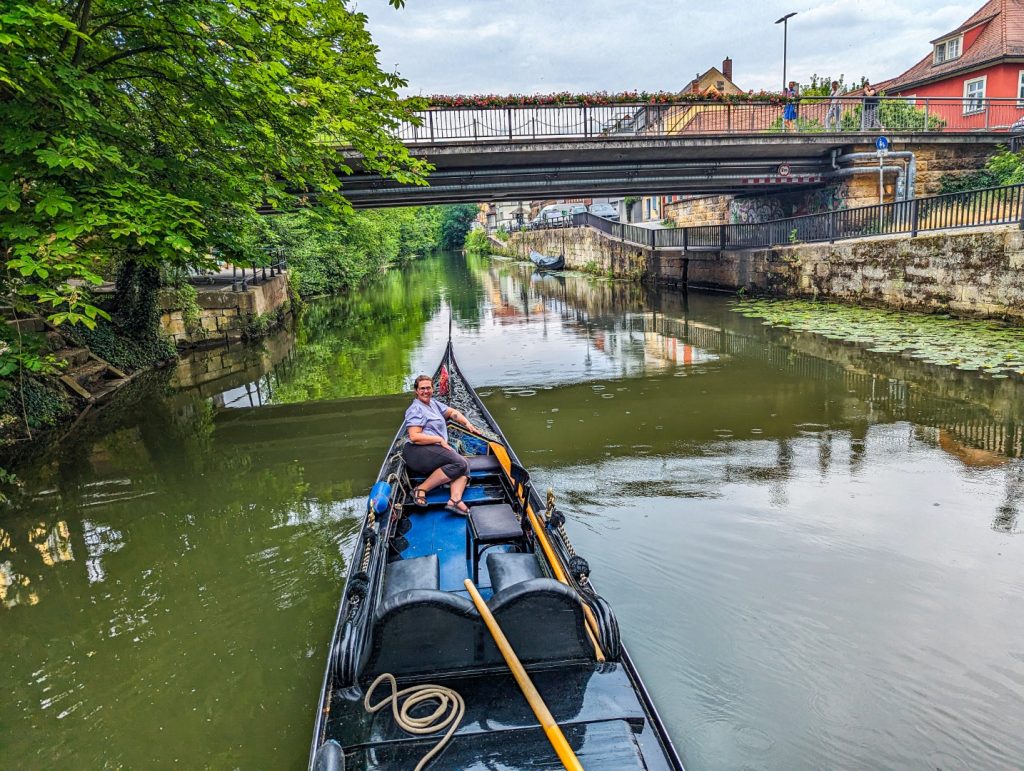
x=149 y=133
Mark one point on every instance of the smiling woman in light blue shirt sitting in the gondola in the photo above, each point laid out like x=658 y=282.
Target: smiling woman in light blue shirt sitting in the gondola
x=428 y=451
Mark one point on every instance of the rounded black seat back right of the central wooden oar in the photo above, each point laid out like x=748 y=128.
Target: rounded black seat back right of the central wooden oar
x=543 y=620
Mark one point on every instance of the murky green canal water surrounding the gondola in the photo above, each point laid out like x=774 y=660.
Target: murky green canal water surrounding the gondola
x=815 y=551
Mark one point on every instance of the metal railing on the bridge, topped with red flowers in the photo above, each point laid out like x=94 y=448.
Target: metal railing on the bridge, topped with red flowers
x=686 y=118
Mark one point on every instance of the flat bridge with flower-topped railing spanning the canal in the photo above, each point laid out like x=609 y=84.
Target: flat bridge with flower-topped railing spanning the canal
x=489 y=152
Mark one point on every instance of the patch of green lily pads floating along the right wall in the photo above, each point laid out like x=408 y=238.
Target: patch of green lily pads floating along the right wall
x=988 y=348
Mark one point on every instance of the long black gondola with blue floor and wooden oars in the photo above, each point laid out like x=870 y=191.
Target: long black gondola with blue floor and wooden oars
x=426 y=591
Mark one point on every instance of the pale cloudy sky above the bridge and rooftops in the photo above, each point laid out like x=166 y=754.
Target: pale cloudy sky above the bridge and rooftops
x=528 y=47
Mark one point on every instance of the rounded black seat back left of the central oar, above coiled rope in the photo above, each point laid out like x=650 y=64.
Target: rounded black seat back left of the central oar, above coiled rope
x=422 y=631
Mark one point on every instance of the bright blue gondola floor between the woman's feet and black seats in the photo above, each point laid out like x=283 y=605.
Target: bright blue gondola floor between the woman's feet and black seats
x=436 y=531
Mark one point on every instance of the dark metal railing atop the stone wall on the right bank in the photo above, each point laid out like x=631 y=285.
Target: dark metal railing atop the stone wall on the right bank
x=990 y=206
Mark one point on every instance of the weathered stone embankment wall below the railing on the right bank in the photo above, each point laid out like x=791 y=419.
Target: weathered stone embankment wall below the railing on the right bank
x=974 y=273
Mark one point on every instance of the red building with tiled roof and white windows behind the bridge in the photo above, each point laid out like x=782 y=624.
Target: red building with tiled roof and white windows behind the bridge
x=982 y=59
